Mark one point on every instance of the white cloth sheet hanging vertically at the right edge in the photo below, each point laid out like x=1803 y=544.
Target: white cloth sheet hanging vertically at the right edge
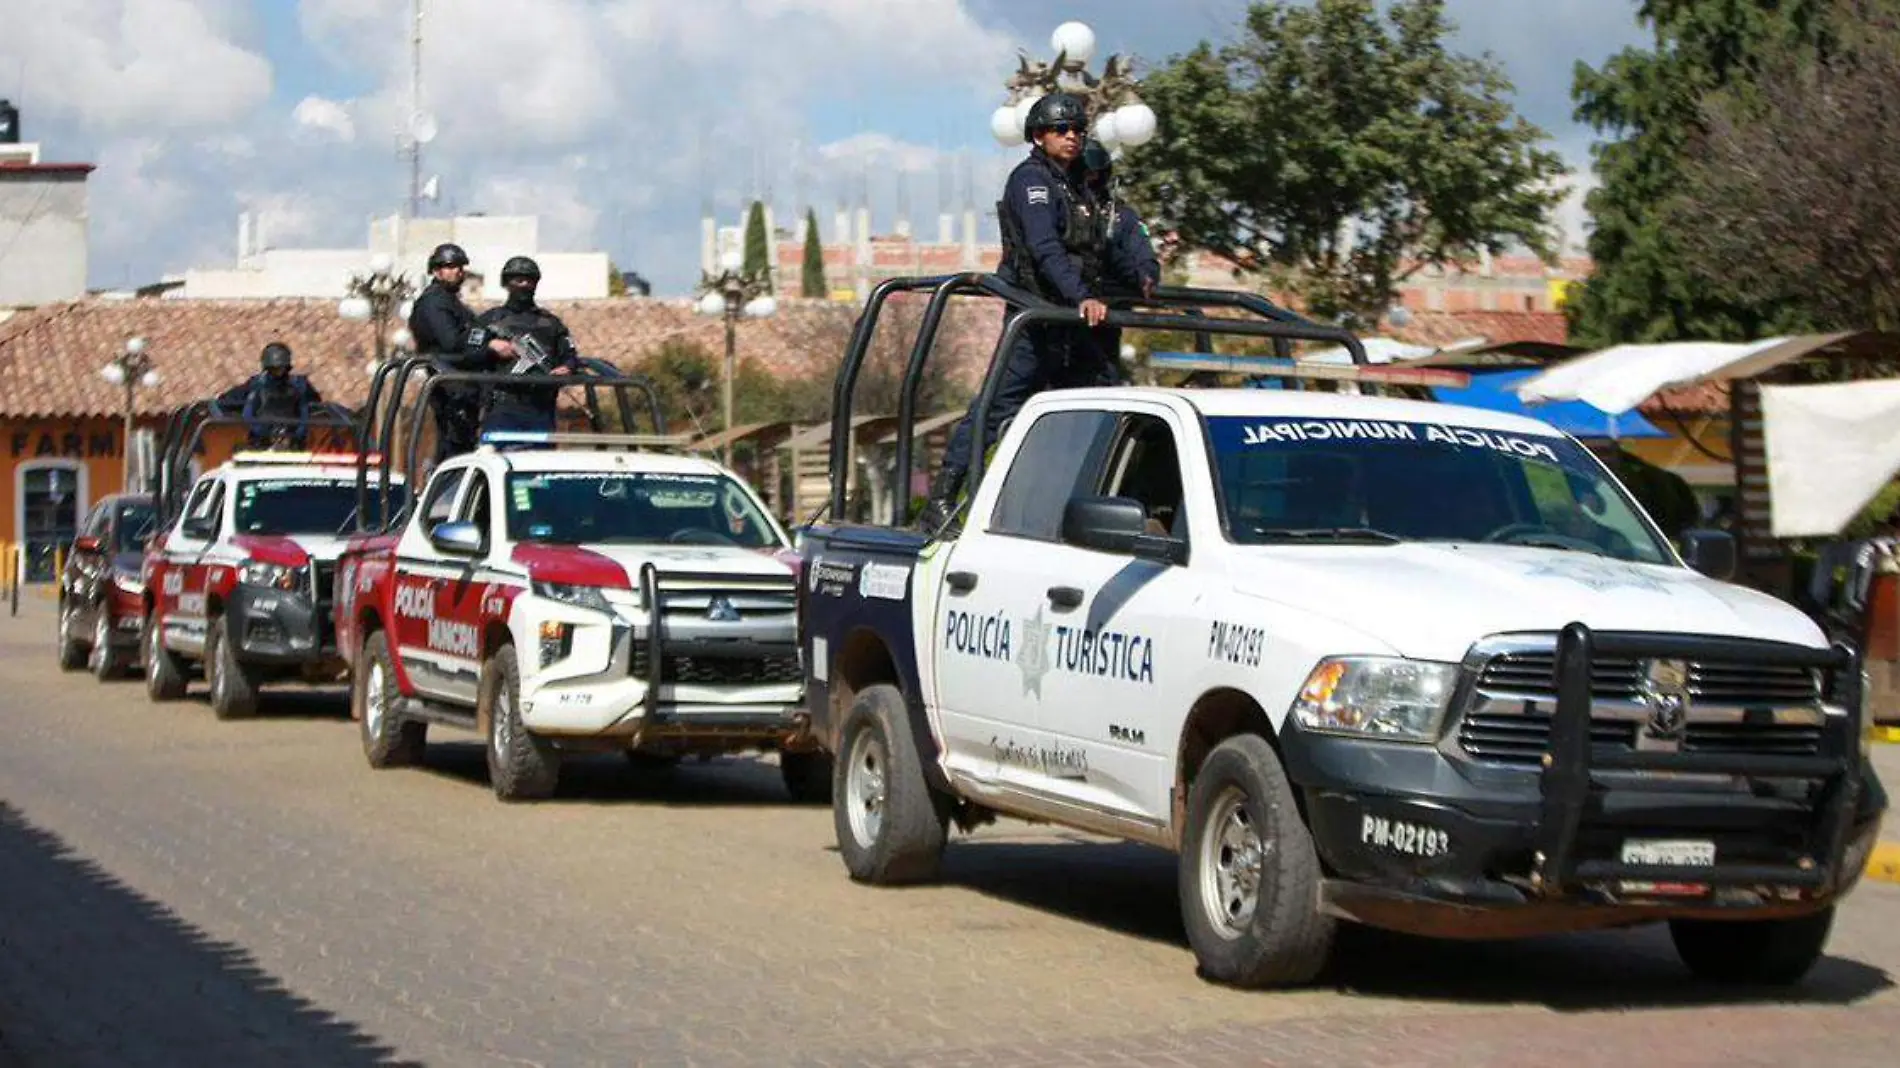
x=1831 y=451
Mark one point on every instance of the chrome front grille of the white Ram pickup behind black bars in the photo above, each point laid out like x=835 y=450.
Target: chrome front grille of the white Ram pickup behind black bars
x=1734 y=708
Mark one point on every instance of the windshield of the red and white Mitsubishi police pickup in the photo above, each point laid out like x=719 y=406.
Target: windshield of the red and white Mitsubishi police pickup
x=590 y=508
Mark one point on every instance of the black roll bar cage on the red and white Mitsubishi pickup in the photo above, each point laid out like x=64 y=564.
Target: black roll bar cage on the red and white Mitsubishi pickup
x=385 y=432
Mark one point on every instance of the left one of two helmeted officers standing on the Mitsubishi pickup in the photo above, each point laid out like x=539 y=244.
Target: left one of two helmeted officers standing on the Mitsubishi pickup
x=446 y=332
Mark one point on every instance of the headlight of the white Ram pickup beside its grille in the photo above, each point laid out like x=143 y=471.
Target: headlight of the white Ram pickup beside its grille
x=1371 y=696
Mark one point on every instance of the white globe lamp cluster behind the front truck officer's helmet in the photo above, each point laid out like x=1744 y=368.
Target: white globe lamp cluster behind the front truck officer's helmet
x=1118 y=115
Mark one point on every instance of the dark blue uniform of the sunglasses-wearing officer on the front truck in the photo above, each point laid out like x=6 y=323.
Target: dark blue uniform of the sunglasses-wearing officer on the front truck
x=1055 y=237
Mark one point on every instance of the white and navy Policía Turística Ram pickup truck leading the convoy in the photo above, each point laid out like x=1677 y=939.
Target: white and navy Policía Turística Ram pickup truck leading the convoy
x=1354 y=658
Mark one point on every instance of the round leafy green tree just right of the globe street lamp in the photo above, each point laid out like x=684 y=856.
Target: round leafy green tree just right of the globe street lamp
x=1339 y=151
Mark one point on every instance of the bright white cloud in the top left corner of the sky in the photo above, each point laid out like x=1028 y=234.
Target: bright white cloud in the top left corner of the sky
x=121 y=66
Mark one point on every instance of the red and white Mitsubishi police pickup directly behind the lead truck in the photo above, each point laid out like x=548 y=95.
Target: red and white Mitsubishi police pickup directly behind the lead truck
x=601 y=600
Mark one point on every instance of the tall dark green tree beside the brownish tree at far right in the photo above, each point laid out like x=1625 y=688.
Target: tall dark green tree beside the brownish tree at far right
x=1648 y=104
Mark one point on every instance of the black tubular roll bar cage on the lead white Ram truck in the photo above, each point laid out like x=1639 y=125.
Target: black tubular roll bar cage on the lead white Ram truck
x=1169 y=309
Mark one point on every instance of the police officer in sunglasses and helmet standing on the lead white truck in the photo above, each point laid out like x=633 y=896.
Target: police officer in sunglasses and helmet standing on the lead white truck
x=1055 y=248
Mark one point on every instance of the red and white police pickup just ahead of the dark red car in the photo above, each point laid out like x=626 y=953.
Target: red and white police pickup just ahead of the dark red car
x=242 y=577
